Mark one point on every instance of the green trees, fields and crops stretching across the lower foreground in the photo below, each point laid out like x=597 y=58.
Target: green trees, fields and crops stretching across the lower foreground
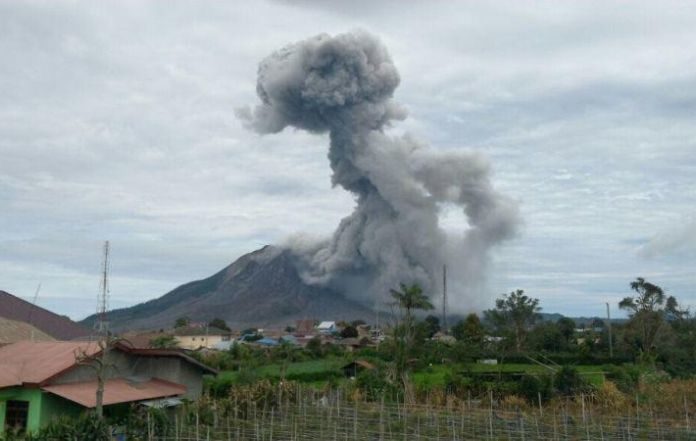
x=510 y=361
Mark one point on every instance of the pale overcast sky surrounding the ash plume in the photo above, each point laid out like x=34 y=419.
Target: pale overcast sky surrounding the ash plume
x=117 y=122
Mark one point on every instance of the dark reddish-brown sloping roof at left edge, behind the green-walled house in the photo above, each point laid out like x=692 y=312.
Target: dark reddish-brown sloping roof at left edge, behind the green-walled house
x=57 y=326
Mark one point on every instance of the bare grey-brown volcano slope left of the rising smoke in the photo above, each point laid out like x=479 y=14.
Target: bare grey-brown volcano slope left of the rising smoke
x=260 y=288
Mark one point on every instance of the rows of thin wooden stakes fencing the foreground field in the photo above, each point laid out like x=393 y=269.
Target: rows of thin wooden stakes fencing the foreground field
x=332 y=418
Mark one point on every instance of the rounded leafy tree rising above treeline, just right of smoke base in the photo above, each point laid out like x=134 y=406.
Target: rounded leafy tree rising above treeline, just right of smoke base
x=514 y=314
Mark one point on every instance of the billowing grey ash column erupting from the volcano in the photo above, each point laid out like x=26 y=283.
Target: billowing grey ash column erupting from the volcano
x=344 y=85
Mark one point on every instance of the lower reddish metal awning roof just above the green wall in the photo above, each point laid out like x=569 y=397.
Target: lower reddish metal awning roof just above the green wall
x=117 y=390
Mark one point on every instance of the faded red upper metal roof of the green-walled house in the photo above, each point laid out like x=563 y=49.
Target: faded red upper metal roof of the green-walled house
x=36 y=362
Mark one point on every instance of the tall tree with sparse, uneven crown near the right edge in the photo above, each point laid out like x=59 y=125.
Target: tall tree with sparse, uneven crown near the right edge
x=647 y=312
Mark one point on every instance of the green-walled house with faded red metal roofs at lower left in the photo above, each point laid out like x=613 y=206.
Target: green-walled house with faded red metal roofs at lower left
x=43 y=380
